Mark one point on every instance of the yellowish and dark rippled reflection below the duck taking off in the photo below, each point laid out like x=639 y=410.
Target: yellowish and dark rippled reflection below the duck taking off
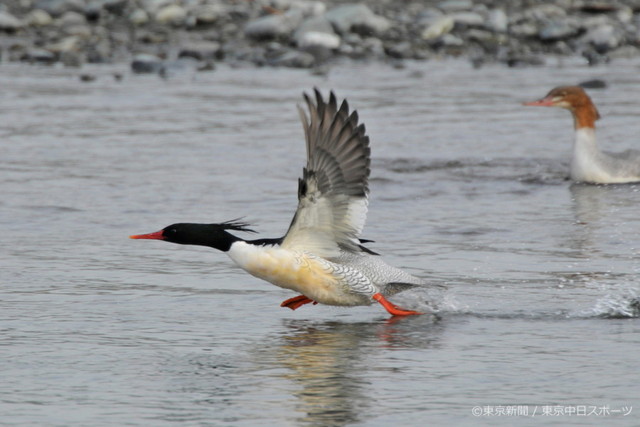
x=327 y=362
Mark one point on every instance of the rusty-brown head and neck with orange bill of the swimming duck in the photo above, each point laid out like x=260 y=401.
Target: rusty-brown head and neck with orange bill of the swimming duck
x=574 y=99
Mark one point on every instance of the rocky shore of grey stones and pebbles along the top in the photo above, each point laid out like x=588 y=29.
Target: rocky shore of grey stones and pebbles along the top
x=305 y=33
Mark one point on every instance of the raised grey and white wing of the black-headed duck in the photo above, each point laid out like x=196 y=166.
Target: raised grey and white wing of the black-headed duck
x=333 y=190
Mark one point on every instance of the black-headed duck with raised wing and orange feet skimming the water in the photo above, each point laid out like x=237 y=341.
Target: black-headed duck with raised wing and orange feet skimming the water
x=321 y=256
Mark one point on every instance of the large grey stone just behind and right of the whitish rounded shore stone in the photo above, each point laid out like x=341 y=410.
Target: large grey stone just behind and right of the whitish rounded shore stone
x=357 y=18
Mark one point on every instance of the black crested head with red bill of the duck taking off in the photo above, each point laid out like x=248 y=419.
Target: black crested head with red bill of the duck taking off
x=212 y=235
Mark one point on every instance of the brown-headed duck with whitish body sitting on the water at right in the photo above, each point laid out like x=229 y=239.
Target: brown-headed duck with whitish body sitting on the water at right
x=589 y=164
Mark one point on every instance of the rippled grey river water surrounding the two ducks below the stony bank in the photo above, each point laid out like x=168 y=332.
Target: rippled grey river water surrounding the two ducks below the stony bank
x=538 y=323
